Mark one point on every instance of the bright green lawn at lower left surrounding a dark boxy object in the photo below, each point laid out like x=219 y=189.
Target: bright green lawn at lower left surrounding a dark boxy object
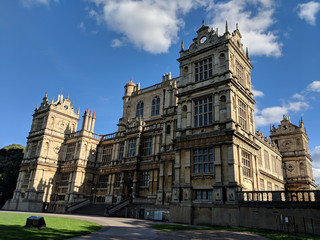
x=12 y=227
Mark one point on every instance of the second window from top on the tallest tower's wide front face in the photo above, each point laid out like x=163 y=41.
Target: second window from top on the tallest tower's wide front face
x=203 y=112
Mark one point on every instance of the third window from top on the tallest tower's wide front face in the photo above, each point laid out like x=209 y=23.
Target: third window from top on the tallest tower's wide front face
x=203 y=160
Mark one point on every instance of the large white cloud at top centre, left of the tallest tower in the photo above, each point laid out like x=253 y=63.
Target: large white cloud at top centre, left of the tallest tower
x=149 y=24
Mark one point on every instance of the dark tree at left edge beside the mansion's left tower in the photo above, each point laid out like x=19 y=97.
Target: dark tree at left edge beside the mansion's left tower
x=10 y=159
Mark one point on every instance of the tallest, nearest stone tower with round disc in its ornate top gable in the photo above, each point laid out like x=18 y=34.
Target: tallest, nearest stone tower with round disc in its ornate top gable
x=215 y=126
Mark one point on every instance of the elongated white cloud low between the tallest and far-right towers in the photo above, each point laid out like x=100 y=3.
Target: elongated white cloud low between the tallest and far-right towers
x=274 y=114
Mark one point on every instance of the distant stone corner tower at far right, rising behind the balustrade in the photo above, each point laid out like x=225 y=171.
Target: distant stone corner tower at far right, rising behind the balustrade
x=293 y=144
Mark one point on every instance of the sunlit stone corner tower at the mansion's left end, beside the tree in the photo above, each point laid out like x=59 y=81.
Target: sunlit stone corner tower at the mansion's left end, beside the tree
x=44 y=151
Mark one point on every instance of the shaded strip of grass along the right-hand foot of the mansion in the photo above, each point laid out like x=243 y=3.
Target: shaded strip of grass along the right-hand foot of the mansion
x=274 y=235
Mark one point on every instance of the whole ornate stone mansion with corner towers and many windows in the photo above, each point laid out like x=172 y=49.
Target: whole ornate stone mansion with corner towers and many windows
x=182 y=143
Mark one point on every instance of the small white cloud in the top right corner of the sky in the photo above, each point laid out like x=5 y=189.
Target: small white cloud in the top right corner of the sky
x=308 y=11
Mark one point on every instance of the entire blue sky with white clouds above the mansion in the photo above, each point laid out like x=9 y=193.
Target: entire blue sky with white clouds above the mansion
x=90 y=49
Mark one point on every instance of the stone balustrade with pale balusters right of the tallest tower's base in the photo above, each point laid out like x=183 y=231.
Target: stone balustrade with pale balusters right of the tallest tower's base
x=279 y=196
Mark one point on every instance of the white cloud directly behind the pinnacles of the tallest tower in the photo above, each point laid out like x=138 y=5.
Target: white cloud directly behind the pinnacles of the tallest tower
x=255 y=19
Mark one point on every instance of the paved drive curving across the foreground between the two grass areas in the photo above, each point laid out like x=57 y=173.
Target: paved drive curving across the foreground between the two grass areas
x=129 y=228
